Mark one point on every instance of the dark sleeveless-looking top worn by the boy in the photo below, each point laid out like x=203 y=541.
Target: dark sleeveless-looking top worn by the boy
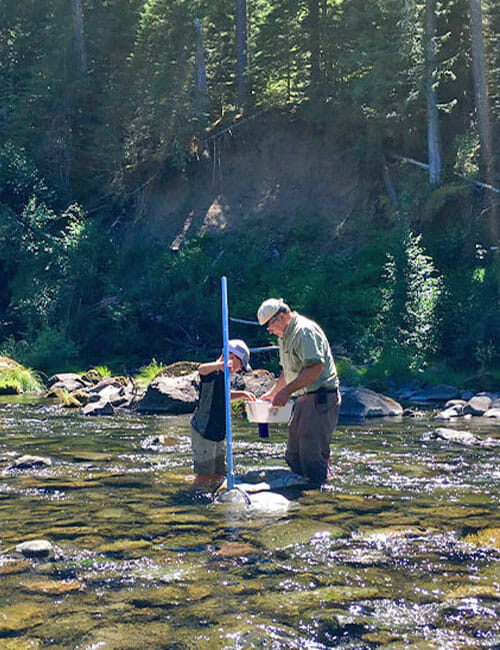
x=209 y=418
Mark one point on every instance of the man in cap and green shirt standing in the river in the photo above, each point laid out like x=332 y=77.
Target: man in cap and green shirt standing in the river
x=309 y=374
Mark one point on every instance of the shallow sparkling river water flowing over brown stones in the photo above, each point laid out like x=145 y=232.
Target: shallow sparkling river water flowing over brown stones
x=399 y=550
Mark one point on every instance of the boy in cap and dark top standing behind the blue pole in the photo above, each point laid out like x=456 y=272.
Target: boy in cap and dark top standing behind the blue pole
x=208 y=424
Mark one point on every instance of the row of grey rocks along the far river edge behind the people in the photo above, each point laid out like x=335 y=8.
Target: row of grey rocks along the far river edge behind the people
x=175 y=391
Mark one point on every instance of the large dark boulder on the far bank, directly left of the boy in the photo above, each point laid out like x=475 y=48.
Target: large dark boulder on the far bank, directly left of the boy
x=172 y=395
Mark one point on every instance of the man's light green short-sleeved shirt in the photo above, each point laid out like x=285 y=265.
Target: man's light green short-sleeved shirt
x=303 y=344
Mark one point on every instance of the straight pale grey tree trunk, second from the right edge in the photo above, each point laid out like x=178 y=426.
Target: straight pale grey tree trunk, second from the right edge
x=433 y=137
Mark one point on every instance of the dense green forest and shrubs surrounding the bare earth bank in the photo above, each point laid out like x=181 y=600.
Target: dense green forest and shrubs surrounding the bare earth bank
x=96 y=98
